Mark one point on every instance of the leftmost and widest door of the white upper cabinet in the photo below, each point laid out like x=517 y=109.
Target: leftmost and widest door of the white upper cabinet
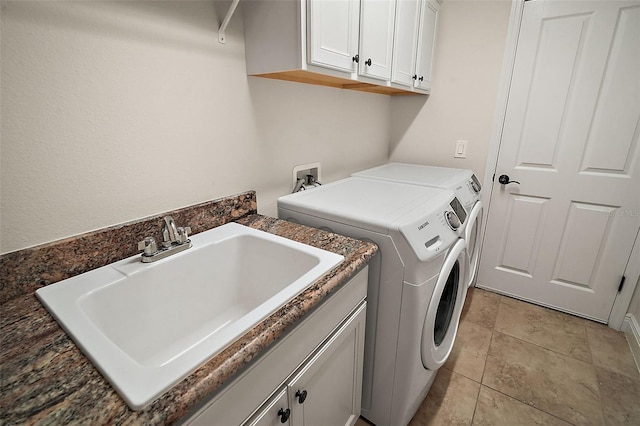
x=333 y=33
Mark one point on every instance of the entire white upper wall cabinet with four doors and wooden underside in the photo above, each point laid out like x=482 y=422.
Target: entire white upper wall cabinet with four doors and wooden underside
x=375 y=46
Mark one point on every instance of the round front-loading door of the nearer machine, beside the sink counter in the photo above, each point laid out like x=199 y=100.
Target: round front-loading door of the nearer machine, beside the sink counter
x=443 y=314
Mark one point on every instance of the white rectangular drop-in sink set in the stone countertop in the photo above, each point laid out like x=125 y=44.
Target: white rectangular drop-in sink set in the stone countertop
x=146 y=326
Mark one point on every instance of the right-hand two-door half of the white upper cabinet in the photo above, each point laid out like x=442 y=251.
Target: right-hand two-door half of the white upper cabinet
x=413 y=43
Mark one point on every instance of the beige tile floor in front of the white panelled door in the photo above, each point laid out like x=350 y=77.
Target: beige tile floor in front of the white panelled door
x=515 y=363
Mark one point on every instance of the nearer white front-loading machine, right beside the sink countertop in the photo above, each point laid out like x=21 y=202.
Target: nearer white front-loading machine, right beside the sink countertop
x=417 y=281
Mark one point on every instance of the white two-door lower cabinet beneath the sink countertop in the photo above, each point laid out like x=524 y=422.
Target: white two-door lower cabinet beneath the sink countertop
x=312 y=376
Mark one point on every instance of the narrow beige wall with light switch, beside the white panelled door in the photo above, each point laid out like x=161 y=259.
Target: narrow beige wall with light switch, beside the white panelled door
x=468 y=58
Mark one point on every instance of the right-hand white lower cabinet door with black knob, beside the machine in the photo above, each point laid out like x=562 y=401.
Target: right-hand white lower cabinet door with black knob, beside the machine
x=327 y=390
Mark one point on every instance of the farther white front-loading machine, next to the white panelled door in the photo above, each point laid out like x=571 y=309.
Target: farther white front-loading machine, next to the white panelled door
x=463 y=182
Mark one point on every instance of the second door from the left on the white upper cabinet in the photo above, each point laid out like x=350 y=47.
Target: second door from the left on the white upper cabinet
x=376 y=38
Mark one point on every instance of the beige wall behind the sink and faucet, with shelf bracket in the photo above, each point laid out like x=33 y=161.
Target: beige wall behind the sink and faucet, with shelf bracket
x=117 y=111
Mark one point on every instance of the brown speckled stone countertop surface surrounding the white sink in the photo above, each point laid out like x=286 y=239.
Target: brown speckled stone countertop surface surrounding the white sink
x=45 y=379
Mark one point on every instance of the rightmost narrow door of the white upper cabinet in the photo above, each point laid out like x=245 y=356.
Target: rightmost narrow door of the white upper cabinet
x=426 y=39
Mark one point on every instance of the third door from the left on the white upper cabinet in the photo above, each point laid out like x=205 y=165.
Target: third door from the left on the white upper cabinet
x=405 y=42
